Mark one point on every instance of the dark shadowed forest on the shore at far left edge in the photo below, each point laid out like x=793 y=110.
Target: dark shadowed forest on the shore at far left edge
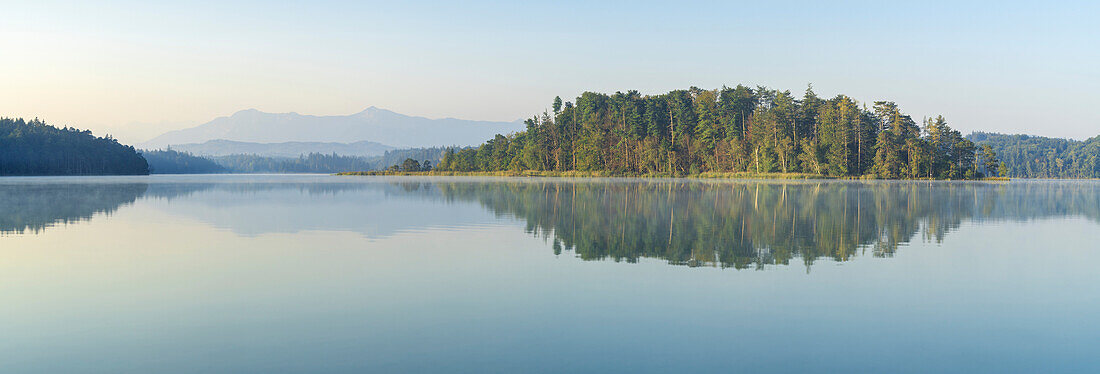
x=35 y=148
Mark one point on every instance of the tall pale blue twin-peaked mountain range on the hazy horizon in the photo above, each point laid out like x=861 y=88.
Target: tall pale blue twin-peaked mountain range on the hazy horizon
x=373 y=125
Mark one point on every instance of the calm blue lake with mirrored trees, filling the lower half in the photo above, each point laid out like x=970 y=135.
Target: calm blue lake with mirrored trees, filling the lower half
x=269 y=274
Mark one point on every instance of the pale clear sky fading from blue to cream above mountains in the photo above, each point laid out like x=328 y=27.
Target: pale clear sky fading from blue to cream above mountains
x=136 y=70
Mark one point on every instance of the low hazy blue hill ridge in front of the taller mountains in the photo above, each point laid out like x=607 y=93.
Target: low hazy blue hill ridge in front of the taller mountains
x=225 y=148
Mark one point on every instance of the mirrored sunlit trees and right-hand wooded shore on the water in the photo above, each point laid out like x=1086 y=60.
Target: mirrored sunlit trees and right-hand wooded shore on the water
x=753 y=225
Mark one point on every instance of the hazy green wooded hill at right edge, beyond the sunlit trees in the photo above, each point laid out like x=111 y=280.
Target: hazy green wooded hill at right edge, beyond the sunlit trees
x=1028 y=157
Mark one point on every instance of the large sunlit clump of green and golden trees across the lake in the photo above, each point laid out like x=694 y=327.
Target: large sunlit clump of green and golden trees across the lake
x=740 y=129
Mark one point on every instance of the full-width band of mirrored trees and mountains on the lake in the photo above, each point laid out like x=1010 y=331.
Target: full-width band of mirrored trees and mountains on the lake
x=741 y=225
